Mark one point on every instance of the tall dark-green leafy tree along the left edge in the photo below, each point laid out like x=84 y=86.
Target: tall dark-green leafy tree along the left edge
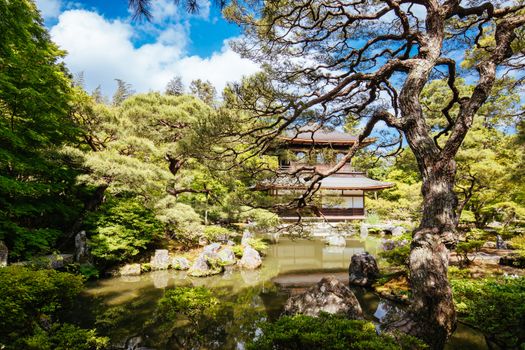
x=38 y=196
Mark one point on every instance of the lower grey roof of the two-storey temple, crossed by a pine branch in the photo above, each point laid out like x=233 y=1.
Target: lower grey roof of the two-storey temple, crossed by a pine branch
x=334 y=182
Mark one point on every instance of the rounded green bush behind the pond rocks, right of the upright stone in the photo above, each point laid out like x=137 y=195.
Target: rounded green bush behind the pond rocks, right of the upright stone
x=122 y=228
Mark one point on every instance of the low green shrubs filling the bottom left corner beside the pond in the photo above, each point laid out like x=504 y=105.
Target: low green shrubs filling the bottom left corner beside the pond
x=32 y=299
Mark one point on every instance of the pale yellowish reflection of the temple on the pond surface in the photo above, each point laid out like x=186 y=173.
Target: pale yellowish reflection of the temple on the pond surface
x=304 y=254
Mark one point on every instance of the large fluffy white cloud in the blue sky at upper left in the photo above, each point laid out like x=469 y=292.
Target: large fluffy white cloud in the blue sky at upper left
x=103 y=49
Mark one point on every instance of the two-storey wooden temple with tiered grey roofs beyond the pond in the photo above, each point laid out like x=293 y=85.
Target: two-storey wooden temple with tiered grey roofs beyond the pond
x=341 y=196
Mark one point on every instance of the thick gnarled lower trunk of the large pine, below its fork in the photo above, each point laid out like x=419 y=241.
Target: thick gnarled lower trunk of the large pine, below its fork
x=432 y=308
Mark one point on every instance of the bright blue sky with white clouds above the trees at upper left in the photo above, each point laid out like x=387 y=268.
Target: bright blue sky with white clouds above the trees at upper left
x=104 y=43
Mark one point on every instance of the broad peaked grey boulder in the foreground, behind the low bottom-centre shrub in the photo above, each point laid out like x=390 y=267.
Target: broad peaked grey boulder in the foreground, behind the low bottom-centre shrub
x=329 y=295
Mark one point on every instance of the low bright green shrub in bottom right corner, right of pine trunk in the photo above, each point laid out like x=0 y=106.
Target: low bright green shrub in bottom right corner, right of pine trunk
x=495 y=306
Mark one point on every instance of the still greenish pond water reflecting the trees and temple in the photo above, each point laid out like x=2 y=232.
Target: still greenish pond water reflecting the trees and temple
x=126 y=308
